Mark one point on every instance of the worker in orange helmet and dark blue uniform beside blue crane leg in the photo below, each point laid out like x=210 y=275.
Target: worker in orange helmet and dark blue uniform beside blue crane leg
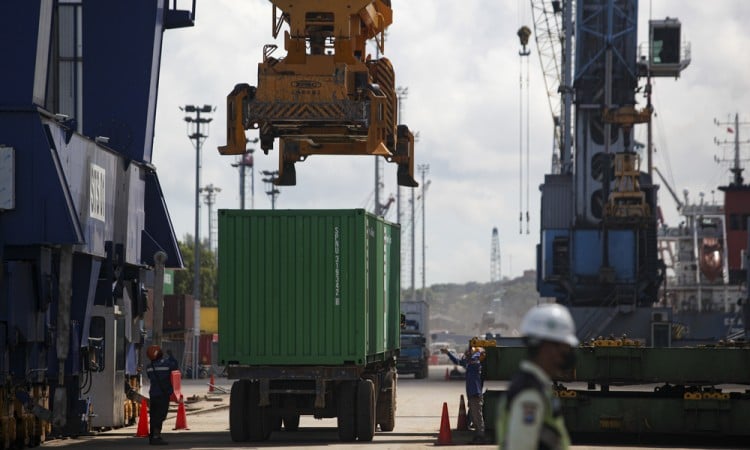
x=159 y=372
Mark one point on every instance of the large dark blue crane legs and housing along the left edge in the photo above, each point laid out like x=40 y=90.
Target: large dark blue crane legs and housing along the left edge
x=81 y=209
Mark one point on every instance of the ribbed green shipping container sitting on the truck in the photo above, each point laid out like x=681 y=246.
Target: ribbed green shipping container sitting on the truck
x=307 y=287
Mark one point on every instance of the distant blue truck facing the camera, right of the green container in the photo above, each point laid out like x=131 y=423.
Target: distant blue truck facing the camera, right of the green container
x=414 y=355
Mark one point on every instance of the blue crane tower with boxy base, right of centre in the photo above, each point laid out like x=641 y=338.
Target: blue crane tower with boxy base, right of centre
x=598 y=246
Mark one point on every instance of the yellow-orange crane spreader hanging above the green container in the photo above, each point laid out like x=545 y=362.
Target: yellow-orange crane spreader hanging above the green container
x=327 y=96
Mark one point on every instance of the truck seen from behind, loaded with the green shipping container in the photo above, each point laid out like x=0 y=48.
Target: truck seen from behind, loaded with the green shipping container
x=309 y=319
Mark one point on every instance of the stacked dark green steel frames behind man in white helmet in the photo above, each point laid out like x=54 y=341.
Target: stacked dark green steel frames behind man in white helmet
x=629 y=393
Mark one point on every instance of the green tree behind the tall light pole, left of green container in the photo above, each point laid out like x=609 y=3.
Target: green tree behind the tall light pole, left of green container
x=183 y=279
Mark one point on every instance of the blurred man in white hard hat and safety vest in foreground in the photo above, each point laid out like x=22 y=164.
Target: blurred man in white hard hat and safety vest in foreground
x=529 y=415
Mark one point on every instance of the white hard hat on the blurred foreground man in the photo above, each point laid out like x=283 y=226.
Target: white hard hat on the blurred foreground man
x=550 y=322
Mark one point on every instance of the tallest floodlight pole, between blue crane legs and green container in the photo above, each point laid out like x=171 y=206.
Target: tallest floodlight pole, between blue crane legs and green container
x=194 y=134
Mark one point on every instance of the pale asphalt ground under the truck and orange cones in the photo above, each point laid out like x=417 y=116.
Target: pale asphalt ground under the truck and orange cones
x=418 y=418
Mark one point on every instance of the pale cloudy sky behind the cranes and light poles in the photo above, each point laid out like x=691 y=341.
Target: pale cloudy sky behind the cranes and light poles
x=460 y=63
